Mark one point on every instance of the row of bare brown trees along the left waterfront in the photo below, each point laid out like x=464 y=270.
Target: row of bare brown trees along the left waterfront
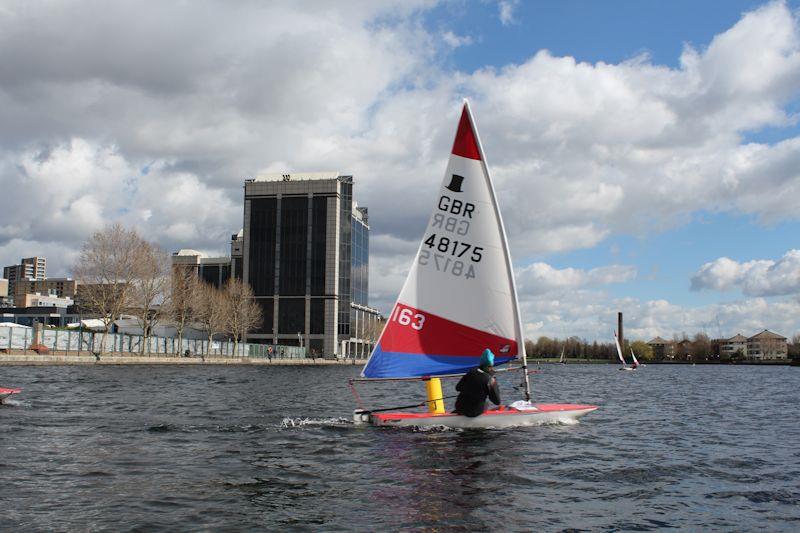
x=119 y=272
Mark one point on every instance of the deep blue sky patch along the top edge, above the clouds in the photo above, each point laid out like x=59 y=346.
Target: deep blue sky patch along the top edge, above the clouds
x=610 y=31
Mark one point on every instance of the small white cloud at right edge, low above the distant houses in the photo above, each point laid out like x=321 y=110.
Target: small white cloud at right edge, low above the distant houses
x=763 y=277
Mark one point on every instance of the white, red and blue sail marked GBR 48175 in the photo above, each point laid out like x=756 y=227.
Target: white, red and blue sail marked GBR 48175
x=459 y=297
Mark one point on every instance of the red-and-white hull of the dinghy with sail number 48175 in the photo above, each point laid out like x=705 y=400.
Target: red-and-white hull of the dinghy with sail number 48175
x=503 y=417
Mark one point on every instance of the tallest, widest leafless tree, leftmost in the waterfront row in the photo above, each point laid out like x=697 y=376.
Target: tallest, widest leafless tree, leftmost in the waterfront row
x=105 y=272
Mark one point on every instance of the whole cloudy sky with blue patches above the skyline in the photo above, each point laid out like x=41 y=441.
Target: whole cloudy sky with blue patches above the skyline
x=646 y=155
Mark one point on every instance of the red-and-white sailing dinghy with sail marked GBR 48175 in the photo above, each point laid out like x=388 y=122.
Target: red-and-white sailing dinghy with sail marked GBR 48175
x=459 y=298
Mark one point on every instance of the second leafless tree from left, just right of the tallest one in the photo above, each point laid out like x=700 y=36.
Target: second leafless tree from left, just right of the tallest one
x=149 y=289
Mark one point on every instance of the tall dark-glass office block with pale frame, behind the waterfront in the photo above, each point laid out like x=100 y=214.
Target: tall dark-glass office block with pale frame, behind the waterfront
x=304 y=252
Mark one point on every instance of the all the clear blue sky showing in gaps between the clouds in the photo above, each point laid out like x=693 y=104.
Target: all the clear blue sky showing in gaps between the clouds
x=614 y=32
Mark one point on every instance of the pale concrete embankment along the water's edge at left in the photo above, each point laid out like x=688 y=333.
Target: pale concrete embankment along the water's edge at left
x=29 y=358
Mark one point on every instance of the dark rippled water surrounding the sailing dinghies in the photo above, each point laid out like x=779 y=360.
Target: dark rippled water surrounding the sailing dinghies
x=147 y=448
